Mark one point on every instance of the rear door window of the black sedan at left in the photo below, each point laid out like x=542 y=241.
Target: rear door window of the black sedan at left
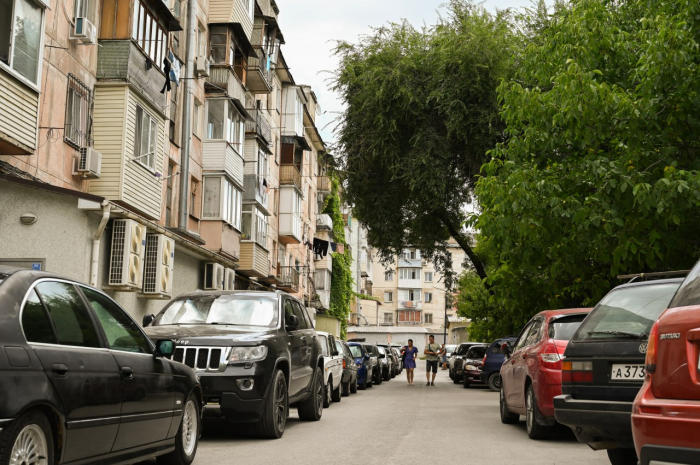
x=68 y=313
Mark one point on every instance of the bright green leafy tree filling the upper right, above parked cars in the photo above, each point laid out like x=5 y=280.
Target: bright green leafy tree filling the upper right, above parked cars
x=598 y=176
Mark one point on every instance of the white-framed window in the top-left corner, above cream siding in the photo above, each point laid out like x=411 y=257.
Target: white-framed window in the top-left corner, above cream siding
x=21 y=30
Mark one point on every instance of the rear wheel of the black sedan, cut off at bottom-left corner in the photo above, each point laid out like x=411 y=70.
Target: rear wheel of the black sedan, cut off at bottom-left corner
x=28 y=440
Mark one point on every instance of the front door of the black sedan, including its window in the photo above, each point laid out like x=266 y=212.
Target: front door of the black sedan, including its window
x=147 y=383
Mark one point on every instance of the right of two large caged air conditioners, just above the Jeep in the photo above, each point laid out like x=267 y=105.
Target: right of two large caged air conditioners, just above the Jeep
x=158 y=265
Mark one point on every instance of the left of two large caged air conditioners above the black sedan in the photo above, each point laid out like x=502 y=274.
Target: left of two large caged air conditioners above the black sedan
x=127 y=256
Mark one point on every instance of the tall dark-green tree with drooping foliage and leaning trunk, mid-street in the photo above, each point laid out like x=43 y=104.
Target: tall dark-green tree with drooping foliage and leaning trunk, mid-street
x=421 y=114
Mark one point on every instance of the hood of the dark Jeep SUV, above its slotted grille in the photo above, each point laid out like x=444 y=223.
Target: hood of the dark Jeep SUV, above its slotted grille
x=208 y=334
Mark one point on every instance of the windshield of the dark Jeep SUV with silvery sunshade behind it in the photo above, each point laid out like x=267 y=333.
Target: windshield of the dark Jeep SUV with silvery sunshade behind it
x=227 y=309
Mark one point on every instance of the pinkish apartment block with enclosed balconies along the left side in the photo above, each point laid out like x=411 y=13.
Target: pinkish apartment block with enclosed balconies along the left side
x=111 y=176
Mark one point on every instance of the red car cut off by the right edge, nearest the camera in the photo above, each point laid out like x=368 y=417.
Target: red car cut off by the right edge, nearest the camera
x=666 y=412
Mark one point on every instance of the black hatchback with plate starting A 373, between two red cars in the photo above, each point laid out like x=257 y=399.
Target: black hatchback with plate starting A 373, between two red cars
x=604 y=367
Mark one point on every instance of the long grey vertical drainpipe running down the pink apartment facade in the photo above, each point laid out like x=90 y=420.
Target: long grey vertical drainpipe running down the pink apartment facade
x=186 y=143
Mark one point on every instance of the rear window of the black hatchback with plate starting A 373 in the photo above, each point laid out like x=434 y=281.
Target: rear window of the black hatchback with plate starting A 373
x=627 y=313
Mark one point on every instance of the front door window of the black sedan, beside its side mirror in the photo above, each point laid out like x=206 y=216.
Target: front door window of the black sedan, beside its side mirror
x=121 y=331
